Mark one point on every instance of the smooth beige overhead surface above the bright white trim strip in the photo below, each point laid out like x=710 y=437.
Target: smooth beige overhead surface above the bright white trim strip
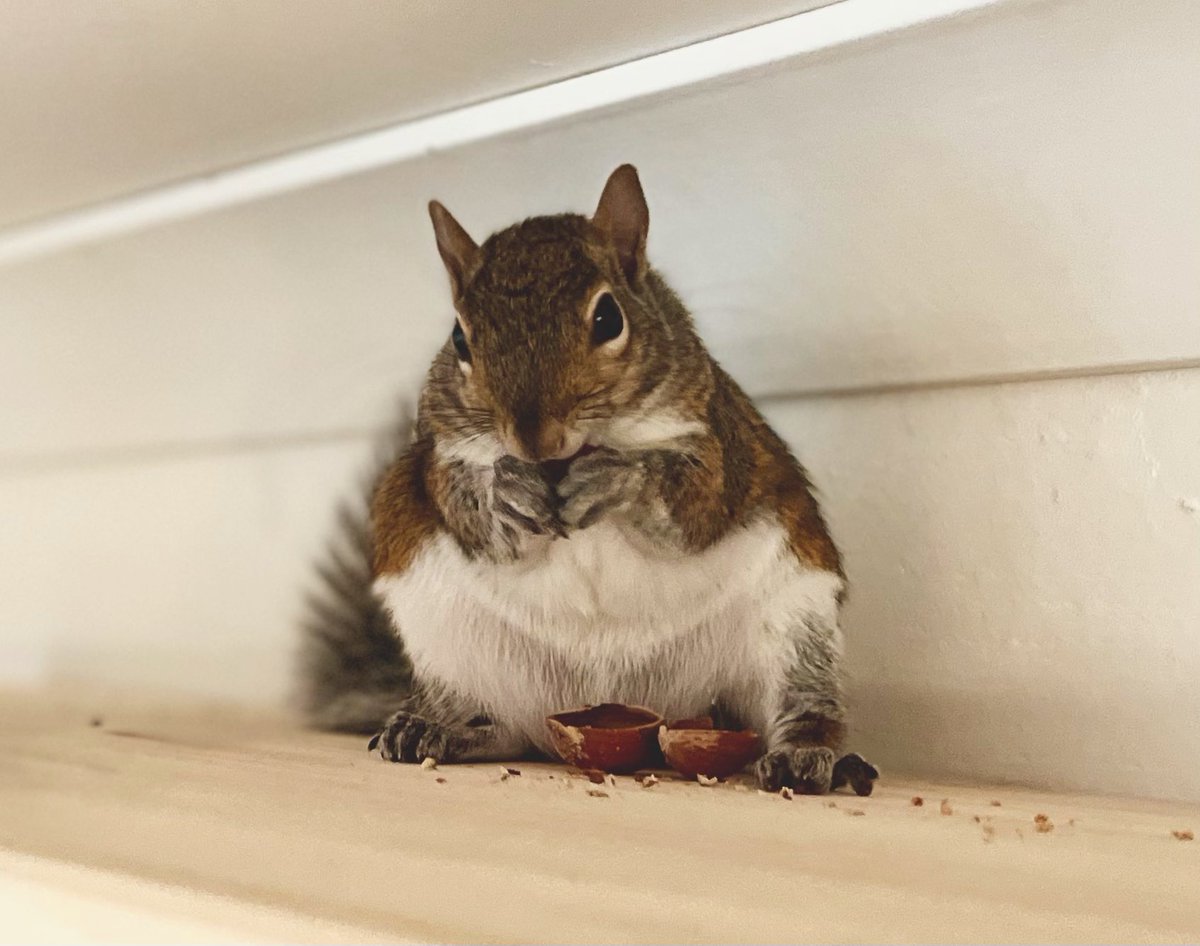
x=105 y=98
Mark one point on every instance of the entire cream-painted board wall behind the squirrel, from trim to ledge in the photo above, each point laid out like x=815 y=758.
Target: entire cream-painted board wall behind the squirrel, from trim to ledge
x=959 y=262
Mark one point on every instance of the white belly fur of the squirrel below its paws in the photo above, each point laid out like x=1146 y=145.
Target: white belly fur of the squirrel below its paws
x=602 y=616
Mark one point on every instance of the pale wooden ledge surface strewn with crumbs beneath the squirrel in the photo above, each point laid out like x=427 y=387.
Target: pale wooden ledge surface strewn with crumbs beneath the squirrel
x=244 y=806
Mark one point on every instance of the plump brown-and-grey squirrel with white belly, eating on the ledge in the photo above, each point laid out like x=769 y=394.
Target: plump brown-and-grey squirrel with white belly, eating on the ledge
x=590 y=510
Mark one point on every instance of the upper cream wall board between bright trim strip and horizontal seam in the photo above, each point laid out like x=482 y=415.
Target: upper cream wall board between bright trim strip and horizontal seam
x=902 y=212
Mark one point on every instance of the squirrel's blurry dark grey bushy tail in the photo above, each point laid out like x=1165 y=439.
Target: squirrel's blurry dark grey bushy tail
x=353 y=668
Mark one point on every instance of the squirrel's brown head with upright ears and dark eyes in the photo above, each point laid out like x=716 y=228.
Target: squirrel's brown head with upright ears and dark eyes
x=562 y=331
